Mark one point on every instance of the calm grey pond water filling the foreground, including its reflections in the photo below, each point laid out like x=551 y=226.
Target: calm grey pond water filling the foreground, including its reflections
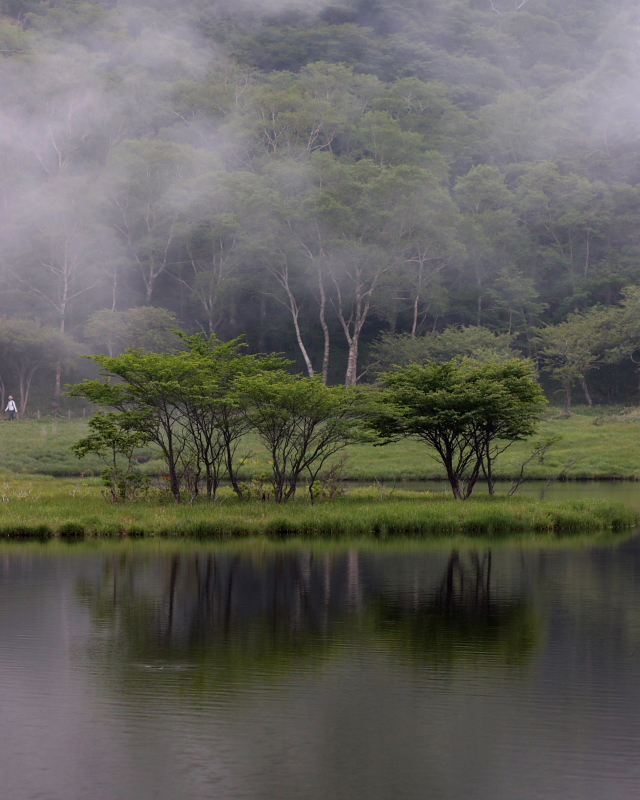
x=142 y=671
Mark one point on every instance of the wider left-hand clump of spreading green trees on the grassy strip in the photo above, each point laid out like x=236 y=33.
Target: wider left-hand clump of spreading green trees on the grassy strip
x=198 y=403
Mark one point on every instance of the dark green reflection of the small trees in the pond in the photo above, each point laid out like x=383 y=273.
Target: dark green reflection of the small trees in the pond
x=233 y=616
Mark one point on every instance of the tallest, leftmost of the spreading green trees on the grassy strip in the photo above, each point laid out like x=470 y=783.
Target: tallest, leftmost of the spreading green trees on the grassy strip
x=185 y=402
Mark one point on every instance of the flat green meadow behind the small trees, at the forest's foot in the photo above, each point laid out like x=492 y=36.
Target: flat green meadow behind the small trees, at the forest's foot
x=604 y=443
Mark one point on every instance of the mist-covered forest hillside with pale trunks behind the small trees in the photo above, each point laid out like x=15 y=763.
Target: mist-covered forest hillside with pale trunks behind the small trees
x=351 y=185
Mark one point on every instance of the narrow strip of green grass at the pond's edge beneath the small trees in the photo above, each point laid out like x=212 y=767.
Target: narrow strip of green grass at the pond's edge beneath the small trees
x=42 y=508
